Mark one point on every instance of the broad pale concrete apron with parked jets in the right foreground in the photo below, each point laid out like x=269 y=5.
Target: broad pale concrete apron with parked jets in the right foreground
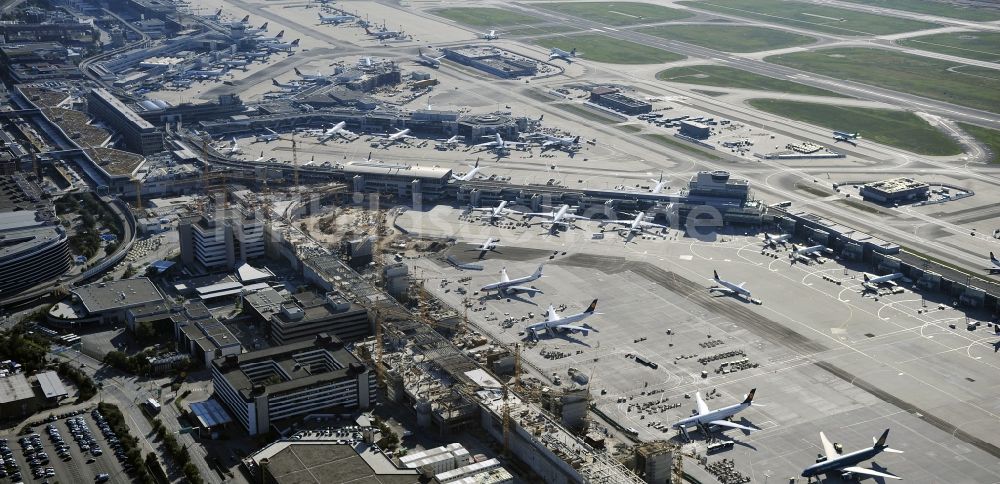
x=828 y=358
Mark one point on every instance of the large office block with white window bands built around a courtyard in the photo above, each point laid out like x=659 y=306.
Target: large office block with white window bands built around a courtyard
x=273 y=386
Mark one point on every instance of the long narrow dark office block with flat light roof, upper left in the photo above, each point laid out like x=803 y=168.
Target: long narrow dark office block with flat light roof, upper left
x=140 y=136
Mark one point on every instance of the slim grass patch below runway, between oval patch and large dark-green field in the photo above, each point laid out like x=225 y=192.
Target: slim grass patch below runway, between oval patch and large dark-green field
x=722 y=76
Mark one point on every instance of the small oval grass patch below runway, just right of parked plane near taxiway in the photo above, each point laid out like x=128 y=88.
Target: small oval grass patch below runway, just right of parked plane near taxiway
x=601 y=48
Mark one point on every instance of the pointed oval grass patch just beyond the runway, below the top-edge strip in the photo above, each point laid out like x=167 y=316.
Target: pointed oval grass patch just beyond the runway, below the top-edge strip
x=730 y=38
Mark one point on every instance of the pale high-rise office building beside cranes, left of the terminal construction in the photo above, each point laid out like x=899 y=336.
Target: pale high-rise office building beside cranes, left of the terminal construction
x=220 y=241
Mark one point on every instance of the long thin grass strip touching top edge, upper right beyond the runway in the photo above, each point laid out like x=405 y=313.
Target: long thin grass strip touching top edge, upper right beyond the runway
x=820 y=18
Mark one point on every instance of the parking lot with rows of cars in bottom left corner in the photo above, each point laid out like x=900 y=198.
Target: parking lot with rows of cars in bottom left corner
x=66 y=448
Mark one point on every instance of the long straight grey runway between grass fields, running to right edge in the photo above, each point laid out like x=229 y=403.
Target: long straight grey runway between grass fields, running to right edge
x=854 y=89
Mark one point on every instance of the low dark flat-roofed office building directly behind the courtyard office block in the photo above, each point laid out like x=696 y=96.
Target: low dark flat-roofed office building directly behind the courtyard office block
x=309 y=314
